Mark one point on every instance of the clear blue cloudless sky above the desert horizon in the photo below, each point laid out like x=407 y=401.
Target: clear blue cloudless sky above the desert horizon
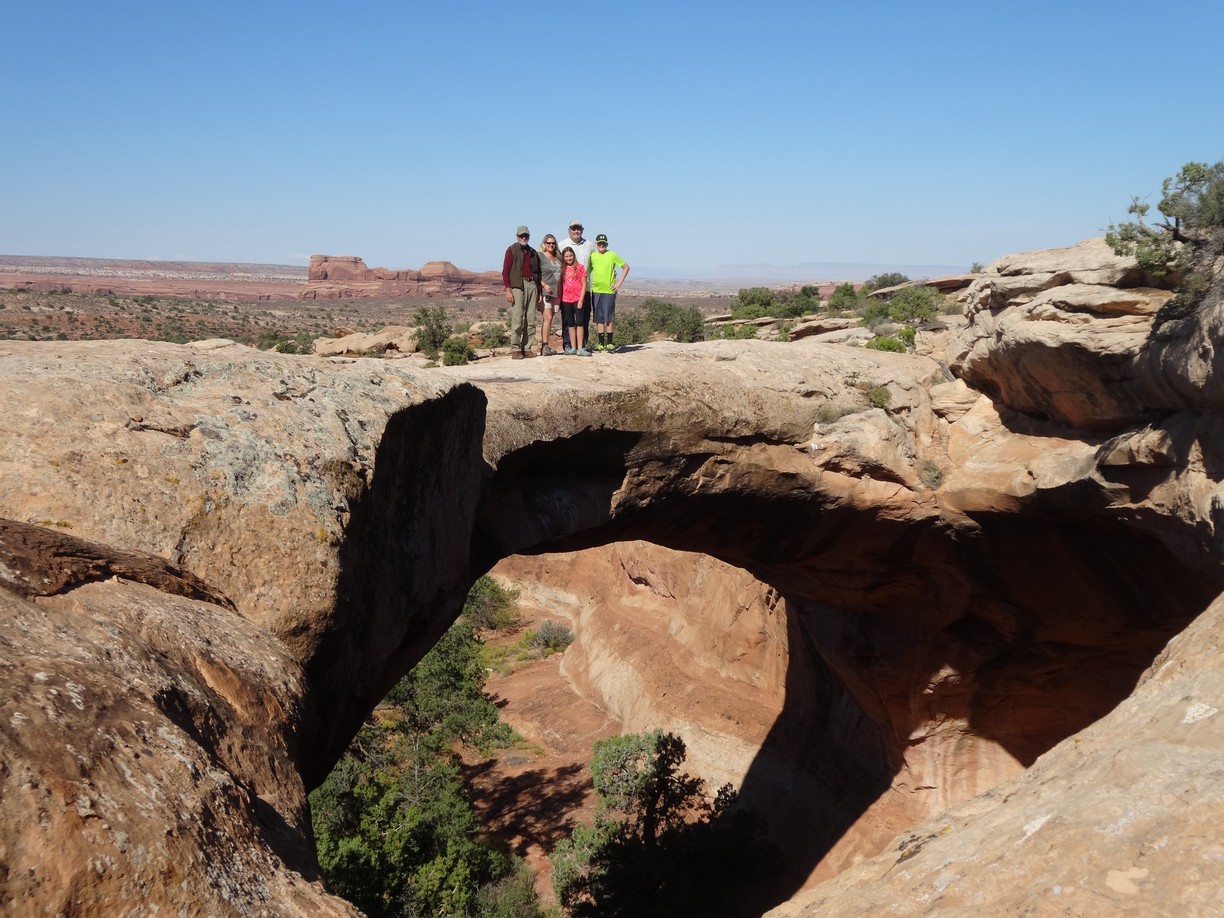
x=693 y=135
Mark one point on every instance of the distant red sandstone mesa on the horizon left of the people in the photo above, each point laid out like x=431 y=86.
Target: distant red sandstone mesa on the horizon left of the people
x=337 y=277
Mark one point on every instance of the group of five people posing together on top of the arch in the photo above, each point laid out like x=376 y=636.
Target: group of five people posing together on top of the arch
x=575 y=280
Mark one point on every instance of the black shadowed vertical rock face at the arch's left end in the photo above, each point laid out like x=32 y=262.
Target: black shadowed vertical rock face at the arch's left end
x=403 y=571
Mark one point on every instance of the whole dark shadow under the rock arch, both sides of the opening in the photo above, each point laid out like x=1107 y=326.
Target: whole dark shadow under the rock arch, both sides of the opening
x=1043 y=604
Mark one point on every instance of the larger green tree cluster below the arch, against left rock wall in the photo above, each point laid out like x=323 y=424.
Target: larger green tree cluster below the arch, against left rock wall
x=396 y=833
